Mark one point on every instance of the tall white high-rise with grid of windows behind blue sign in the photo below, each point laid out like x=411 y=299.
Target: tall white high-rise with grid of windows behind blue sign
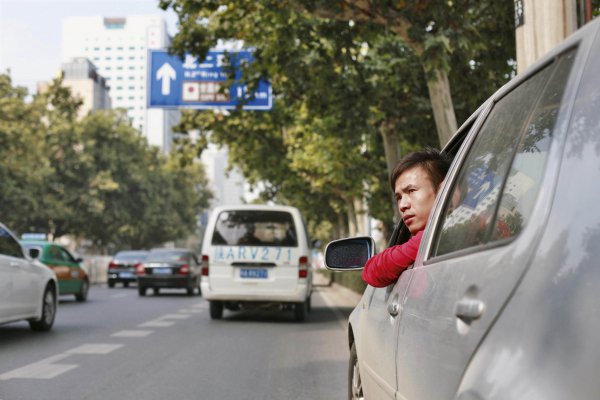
x=119 y=49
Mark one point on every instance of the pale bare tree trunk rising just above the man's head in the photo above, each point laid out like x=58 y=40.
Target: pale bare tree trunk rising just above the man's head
x=441 y=103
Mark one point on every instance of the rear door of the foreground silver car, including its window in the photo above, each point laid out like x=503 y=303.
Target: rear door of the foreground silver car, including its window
x=481 y=236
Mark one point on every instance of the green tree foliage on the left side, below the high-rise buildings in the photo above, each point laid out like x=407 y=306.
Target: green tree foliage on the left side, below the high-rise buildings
x=94 y=178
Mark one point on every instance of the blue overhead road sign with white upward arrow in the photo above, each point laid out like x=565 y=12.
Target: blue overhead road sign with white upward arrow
x=174 y=83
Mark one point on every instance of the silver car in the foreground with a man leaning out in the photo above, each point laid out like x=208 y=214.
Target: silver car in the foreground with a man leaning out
x=502 y=301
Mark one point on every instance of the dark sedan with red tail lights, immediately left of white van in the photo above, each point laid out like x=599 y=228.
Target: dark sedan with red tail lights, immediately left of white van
x=169 y=268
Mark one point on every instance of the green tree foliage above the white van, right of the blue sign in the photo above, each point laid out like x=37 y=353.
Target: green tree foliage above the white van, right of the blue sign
x=337 y=89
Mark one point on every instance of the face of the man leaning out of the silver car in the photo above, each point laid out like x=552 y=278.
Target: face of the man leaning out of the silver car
x=415 y=195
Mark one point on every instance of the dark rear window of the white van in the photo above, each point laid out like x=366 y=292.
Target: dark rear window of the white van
x=255 y=228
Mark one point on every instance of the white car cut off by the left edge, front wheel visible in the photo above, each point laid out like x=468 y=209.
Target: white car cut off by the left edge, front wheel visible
x=28 y=288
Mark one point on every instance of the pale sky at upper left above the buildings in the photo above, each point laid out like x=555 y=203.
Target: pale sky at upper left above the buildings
x=31 y=32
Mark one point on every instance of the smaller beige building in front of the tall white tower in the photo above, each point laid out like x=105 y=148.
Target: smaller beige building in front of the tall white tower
x=81 y=76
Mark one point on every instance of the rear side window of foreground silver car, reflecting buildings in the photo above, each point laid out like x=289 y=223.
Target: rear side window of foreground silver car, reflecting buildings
x=499 y=180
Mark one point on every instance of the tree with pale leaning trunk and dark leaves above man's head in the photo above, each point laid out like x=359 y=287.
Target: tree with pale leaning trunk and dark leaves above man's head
x=434 y=31
